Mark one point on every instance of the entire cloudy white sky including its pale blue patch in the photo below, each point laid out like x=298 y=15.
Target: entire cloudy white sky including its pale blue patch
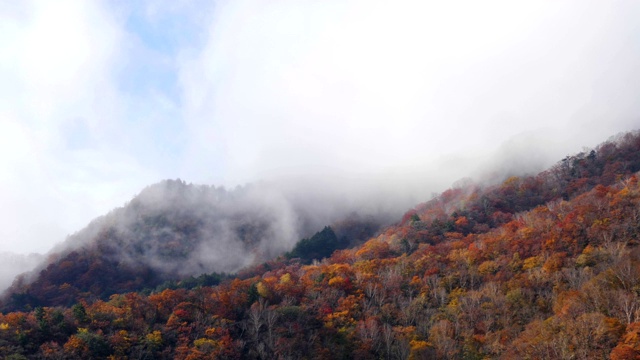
x=100 y=98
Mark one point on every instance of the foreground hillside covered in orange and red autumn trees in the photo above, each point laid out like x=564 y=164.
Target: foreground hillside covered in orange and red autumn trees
x=540 y=267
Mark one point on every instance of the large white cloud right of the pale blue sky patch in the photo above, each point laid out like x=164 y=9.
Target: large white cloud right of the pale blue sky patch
x=376 y=88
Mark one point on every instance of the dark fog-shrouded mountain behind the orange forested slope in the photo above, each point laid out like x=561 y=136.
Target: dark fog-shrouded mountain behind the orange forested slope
x=173 y=230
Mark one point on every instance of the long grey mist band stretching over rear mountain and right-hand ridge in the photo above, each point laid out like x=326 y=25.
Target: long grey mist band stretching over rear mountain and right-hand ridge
x=181 y=229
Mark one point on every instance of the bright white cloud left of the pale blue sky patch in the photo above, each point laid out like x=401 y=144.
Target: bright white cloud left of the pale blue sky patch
x=61 y=121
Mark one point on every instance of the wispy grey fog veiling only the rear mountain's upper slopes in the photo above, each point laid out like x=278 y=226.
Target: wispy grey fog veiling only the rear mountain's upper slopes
x=182 y=229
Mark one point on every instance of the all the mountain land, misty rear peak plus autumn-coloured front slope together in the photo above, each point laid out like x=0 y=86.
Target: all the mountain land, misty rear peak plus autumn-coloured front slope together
x=542 y=266
